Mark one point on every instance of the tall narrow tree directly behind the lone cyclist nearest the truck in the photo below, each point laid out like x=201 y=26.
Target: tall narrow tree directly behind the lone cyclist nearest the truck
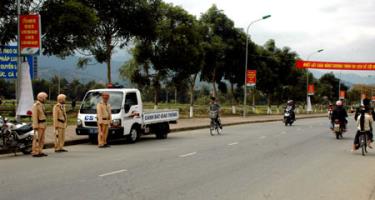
x=220 y=27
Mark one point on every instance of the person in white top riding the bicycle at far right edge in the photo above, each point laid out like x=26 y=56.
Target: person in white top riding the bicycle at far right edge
x=364 y=124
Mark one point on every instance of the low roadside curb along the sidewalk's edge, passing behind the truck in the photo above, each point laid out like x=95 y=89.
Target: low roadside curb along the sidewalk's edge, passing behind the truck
x=83 y=141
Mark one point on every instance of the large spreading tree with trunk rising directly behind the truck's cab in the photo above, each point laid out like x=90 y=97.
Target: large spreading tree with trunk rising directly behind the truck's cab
x=94 y=28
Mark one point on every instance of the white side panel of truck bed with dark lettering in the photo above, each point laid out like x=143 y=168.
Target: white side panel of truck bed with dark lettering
x=159 y=116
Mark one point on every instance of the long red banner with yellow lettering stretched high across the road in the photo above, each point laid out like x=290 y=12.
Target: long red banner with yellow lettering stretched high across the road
x=334 y=65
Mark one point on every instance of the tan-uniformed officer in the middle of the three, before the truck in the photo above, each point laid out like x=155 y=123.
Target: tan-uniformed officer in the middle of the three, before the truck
x=60 y=123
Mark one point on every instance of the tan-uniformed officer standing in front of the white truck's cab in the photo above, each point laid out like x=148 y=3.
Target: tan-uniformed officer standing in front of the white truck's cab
x=103 y=110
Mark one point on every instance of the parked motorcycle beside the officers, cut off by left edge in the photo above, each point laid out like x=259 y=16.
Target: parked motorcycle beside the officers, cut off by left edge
x=16 y=136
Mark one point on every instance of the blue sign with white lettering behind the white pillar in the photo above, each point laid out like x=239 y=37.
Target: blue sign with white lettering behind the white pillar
x=8 y=62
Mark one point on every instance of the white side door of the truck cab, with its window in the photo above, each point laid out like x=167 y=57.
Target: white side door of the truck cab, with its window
x=132 y=111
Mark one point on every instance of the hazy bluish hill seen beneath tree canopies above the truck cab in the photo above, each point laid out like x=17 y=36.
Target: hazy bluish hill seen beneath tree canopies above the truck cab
x=50 y=66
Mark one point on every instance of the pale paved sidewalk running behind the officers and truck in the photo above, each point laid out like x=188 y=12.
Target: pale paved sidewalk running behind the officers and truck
x=183 y=125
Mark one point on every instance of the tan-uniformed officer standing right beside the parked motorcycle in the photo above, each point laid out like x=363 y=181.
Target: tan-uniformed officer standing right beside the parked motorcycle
x=39 y=124
